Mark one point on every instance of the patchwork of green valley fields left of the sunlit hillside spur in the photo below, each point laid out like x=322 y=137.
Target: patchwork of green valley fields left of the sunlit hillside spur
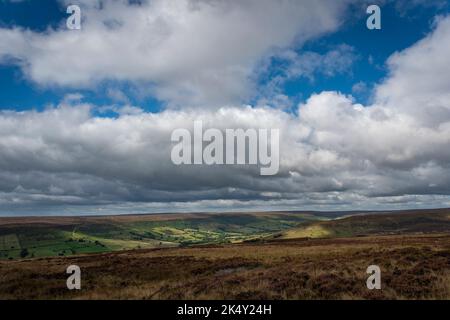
x=65 y=236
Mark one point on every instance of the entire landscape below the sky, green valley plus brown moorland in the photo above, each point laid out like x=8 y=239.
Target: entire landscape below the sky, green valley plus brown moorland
x=236 y=256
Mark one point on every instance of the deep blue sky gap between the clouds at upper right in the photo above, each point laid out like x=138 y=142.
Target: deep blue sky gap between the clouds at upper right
x=372 y=48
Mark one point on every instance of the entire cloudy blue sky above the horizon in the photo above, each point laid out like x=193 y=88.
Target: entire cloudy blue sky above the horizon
x=86 y=115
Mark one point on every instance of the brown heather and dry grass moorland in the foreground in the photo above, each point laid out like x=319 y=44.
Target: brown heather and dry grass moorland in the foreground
x=413 y=267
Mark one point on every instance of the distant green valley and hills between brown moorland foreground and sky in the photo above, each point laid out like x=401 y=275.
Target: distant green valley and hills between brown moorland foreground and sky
x=65 y=236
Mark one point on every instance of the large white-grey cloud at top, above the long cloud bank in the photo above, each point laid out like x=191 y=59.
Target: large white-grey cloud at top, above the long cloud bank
x=187 y=52
